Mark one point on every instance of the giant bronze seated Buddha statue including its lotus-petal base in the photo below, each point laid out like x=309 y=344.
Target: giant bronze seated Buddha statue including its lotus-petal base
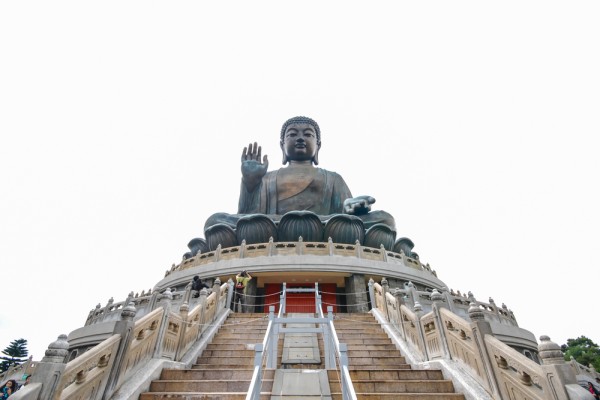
x=297 y=200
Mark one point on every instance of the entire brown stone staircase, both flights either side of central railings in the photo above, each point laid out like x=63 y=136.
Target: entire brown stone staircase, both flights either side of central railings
x=224 y=370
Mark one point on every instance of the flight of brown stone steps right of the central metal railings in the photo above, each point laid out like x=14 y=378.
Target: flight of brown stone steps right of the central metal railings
x=377 y=368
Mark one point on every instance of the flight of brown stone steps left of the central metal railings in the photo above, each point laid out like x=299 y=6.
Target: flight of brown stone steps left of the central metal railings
x=224 y=370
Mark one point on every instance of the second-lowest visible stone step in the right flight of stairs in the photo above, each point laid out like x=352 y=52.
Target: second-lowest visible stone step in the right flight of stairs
x=390 y=386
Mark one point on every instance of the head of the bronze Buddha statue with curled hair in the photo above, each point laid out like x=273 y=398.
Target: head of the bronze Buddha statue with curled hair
x=300 y=140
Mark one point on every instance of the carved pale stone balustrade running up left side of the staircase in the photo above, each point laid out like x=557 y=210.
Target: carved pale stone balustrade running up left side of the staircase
x=158 y=335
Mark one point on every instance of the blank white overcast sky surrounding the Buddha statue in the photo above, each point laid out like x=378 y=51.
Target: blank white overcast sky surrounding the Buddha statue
x=474 y=123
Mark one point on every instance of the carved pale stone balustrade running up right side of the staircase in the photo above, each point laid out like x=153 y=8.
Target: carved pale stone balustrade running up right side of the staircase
x=441 y=334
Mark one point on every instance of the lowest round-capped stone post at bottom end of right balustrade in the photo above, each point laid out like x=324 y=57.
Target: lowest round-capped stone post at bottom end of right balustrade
x=553 y=364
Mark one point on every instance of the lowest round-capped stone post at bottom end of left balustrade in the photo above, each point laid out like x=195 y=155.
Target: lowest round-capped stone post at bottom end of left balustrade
x=50 y=369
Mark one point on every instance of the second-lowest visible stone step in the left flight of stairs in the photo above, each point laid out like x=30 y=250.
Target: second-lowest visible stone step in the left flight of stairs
x=206 y=386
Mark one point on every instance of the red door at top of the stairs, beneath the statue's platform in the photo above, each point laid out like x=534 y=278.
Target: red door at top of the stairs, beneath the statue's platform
x=301 y=302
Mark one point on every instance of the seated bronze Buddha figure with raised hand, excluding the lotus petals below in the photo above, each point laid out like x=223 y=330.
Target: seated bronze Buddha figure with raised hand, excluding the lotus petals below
x=298 y=187
